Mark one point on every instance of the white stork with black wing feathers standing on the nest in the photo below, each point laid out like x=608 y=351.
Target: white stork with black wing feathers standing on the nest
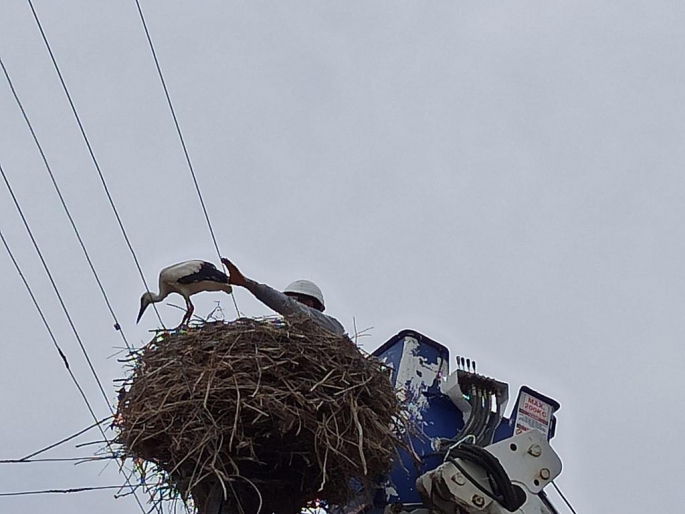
x=186 y=278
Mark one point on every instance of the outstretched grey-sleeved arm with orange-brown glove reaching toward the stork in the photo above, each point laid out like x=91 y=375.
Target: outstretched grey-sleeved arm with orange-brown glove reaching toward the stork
x=281 y=303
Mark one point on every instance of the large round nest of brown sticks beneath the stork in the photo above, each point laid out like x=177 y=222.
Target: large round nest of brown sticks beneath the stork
x=286 y=408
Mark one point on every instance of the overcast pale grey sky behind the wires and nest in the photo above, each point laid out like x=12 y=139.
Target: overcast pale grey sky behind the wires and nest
x=505 y=177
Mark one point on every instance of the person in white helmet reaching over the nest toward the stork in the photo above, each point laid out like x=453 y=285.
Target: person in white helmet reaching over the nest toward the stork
x=300 y=298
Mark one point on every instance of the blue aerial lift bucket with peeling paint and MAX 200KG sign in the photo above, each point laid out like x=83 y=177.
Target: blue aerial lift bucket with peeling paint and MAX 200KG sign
x=418 y=366
